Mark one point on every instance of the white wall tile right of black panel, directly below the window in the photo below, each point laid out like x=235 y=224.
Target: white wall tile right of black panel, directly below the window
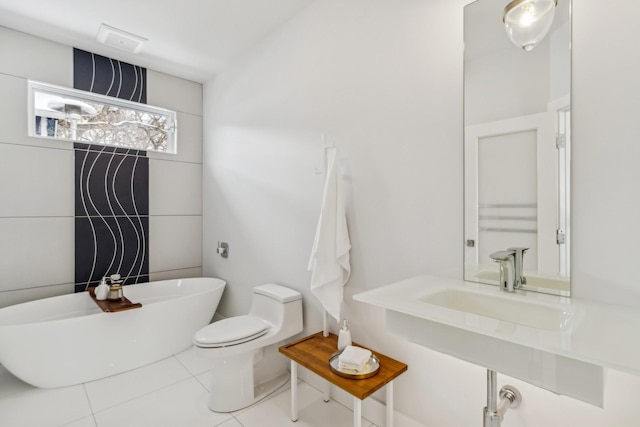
x=175 y=188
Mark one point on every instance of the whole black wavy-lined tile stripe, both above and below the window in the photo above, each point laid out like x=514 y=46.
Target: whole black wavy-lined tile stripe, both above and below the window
x=111 y=184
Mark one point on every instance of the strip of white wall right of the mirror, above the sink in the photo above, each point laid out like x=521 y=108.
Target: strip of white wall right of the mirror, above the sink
x=605 y=153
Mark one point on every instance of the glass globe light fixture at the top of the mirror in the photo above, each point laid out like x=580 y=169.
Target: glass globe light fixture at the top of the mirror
x=528 y=21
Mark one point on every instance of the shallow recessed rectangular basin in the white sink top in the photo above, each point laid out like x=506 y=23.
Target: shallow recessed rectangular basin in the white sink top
x=525 y=313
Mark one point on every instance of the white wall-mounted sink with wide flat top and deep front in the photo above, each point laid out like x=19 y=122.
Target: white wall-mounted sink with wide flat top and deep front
x=554 y=342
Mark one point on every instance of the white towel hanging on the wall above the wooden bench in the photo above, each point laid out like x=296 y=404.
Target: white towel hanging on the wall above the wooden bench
x=329 y=260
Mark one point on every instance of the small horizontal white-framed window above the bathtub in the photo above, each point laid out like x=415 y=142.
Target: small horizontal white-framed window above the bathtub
x=75 y=115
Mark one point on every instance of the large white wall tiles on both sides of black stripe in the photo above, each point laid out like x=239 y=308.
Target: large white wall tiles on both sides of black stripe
x=37 y=179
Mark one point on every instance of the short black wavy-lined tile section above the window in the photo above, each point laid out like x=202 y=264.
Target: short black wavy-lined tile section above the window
x=99 y=74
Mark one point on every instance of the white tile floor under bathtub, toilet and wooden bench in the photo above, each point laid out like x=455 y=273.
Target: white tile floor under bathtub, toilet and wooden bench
x=172 y=393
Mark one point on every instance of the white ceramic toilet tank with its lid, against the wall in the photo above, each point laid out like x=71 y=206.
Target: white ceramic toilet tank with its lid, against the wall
x=278 y=305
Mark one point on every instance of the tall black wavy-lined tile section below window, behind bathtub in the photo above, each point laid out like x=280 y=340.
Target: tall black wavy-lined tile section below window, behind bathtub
x=112 y=208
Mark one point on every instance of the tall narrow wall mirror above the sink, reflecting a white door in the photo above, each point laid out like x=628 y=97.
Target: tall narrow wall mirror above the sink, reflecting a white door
x=517 y=123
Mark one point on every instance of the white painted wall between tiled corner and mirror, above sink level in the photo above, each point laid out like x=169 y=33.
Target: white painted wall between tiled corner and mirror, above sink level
x=343 y=71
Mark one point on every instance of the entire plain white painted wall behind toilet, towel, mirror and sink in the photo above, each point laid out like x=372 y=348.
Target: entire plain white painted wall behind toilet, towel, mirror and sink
x=383 y=79
